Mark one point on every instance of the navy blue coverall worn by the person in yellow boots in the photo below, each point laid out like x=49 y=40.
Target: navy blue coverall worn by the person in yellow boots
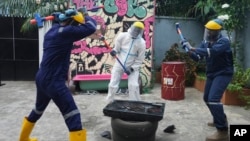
x=53 y=72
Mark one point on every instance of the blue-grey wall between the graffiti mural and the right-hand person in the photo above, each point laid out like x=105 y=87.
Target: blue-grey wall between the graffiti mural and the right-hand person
x=165 y=35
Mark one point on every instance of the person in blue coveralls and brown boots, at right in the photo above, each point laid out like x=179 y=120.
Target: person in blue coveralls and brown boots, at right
x=216 y=49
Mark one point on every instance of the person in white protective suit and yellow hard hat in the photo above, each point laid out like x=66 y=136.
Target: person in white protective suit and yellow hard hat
x=130 y=49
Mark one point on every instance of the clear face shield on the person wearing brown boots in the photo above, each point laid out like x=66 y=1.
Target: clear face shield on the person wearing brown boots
x=211 y=35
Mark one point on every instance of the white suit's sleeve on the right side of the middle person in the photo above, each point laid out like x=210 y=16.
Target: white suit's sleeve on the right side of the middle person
x=141 y=55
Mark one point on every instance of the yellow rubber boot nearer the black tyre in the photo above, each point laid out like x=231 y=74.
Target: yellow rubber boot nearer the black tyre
x=78 y=135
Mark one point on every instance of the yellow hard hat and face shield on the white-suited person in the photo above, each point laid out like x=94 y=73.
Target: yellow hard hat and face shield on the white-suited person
x=136 y=30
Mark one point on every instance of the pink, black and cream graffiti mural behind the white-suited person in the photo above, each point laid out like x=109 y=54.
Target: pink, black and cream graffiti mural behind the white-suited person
x=91 y=56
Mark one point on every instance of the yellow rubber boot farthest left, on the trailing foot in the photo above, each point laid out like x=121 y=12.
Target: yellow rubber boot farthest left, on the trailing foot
x=26 y=130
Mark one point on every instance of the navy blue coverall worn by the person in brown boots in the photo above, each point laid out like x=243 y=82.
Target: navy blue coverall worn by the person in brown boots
x=219 y=72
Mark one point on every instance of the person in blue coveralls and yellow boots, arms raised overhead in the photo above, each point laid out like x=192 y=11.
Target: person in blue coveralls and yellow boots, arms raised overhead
x=53 y=73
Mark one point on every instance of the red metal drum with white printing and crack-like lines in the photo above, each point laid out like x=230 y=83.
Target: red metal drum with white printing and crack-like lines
x=173 y=80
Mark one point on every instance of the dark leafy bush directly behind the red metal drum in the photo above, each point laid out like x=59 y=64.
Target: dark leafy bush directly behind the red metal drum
x=176 y=54
